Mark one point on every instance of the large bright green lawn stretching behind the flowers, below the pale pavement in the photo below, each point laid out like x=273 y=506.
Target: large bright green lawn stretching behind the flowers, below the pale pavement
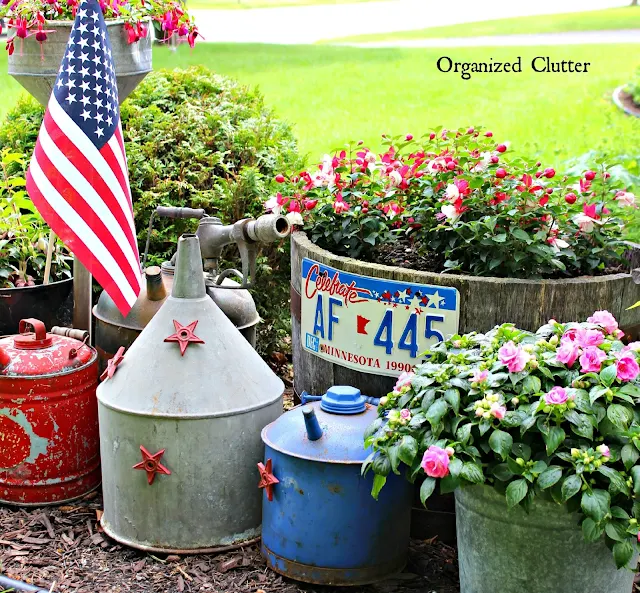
x=335 y=94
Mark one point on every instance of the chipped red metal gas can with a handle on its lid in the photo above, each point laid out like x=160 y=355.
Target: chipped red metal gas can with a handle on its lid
x=49 y=443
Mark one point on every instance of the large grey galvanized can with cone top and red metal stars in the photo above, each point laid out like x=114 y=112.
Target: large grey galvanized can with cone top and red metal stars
x=180 y=424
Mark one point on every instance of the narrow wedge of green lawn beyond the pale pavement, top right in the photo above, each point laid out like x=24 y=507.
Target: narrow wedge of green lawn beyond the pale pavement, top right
x=594 y=20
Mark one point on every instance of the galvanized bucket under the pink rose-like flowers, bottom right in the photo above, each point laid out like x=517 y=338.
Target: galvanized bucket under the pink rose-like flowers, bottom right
x=508 y=550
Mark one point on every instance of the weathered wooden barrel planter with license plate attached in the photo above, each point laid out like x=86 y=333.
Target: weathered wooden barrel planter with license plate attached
x=484 y=302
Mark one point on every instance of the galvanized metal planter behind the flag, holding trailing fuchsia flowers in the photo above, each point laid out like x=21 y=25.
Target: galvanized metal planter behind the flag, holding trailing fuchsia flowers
x=36 y=68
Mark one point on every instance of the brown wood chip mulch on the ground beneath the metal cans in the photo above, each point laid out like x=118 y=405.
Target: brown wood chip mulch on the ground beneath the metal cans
x=63 y=549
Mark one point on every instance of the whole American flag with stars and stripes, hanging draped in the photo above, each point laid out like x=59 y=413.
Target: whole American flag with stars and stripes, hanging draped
x=78 y=177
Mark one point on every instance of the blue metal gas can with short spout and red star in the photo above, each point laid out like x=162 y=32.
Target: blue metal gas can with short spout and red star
x=320 y=523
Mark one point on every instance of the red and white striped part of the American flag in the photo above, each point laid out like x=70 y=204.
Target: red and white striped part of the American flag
x=83 y=194
